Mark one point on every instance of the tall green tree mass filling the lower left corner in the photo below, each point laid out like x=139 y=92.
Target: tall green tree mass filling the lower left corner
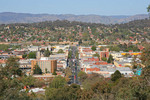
x=10 y=83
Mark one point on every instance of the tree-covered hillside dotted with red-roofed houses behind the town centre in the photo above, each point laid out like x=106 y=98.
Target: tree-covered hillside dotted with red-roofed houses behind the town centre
x=74 y=31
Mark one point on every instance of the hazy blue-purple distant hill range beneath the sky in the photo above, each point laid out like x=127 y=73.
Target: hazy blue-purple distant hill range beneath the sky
x=10 y=17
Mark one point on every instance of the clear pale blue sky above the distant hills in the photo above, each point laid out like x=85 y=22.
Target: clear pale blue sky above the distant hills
x=77 y=7
